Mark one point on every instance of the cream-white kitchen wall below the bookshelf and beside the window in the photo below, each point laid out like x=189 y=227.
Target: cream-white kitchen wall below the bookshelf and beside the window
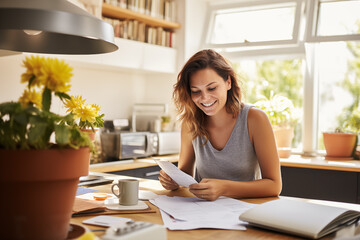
x=116 y=90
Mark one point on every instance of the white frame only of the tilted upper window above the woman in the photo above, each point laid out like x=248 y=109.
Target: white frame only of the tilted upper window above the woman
x=214 y=9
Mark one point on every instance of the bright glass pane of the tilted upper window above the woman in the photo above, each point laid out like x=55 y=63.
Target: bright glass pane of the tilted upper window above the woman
x=254 y=26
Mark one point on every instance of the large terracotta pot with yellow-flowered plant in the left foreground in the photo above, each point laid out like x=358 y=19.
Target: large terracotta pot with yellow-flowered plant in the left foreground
x=41 y=156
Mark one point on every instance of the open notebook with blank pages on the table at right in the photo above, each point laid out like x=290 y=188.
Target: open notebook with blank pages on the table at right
x=298 y=217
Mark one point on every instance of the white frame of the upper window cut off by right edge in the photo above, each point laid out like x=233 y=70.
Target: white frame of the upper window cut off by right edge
x=312 y=25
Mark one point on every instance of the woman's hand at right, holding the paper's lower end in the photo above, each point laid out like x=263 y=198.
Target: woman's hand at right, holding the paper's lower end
x=209 y=189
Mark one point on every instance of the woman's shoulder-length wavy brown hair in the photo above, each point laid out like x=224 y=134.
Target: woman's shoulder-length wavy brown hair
x=189 y=113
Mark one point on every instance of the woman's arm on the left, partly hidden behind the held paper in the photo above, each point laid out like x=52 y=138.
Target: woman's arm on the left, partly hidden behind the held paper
x=186 y=160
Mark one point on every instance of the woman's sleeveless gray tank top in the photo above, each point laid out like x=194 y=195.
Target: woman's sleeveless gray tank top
x=237 y=161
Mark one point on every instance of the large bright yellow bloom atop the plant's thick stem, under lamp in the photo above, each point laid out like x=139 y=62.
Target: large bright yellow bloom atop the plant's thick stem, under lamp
x=56 y=74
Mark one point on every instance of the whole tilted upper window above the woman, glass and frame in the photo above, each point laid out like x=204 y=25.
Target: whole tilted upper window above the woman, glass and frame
x=276 y=22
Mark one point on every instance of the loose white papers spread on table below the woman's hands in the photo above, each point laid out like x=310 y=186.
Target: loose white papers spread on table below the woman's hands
x=185 y=213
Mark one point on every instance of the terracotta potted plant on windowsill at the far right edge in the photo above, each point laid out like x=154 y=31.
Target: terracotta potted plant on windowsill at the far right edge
x=341 y=144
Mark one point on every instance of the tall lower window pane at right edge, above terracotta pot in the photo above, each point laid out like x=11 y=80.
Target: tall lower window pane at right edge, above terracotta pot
x=339 y=84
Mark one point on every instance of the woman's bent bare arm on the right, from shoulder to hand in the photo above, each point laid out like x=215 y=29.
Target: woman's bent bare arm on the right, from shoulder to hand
x=262 y=138
